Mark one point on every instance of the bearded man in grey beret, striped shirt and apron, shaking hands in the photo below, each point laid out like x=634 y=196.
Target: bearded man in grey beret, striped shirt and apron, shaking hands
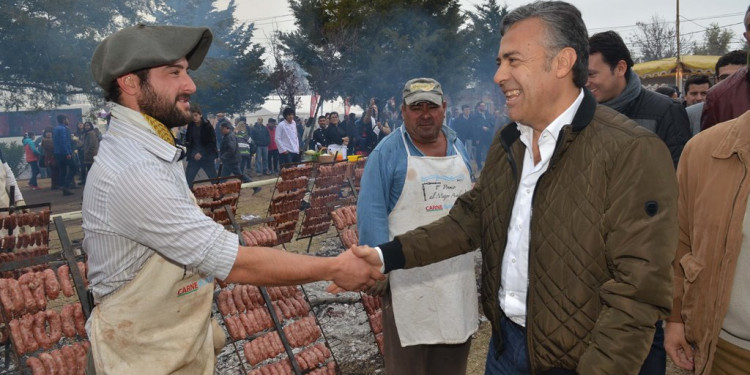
x=153 y=254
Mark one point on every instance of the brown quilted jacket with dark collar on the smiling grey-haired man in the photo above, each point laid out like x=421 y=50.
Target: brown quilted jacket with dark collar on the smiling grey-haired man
x=603 y=235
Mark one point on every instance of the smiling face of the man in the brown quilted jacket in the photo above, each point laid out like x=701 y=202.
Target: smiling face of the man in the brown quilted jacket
x=528 y=77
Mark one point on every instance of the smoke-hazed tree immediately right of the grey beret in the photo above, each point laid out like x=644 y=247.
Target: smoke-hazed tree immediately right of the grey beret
x=232 y=78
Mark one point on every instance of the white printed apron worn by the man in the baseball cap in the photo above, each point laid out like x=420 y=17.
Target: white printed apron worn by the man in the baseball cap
x=435 y=304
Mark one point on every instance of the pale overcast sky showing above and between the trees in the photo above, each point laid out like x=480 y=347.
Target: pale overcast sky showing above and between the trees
x=599 y=15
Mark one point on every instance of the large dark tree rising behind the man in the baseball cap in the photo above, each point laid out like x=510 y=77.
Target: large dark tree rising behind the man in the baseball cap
x=369 y=49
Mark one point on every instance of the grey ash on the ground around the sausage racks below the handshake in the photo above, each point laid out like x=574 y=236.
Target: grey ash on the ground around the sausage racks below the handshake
x=343 y=320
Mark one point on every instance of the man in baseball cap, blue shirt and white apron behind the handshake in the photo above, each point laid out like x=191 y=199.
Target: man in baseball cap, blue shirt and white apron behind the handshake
x=429 y=313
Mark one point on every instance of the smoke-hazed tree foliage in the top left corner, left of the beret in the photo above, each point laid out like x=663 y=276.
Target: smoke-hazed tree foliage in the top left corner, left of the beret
x=47 y=46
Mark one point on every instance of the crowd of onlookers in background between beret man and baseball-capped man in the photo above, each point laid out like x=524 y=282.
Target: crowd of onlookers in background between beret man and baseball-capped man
x=216 y=141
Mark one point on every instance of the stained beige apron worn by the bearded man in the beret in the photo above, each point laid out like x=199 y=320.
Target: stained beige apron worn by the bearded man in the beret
x=158 y=323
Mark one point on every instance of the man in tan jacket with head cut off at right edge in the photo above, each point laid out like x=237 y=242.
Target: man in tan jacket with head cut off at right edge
x=709 y=329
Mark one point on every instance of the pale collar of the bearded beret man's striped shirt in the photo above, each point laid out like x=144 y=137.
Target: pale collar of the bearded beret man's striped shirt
x=131 y=124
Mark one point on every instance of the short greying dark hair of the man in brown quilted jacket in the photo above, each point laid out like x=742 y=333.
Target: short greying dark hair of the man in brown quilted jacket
x=564 y=28
